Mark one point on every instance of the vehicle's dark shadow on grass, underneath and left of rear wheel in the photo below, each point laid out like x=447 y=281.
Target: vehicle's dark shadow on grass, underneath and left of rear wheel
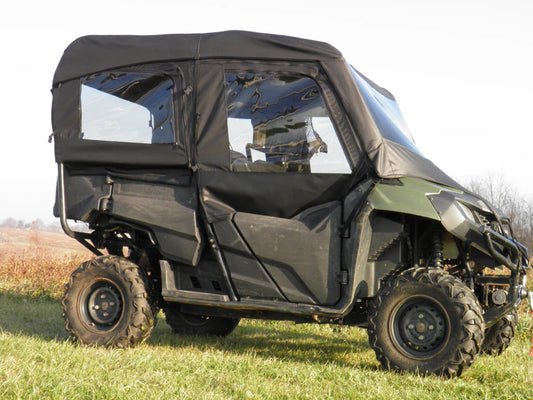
x=41 y=318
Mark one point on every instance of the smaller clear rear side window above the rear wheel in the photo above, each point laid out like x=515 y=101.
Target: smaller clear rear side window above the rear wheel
x=127 y=107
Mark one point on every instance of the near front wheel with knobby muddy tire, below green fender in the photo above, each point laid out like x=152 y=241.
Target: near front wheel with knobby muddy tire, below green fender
x=425 y=320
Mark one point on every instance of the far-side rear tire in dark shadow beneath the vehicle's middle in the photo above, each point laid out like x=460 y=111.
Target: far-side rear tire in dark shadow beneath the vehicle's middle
x=198 y=325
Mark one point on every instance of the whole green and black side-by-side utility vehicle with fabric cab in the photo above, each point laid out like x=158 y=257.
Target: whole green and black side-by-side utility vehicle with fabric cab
x=244 y=175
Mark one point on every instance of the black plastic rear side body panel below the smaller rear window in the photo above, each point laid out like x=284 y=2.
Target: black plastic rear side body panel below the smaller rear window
x=164 y=202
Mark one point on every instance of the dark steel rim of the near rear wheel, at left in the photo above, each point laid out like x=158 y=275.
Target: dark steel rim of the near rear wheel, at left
x=101 y=306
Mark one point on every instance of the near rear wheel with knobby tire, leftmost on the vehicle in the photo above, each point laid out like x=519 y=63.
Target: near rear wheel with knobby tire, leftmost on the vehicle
x=106 y=303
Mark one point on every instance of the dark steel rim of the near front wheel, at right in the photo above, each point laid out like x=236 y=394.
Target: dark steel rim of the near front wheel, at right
x=419 y=327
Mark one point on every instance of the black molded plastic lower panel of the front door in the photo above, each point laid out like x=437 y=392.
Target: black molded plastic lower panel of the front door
x=302 y=254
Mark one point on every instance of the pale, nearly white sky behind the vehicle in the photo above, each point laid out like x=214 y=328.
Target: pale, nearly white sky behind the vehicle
x=461 y=71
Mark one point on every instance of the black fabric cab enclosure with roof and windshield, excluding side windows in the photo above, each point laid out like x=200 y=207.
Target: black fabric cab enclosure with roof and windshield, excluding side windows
x=190 y=62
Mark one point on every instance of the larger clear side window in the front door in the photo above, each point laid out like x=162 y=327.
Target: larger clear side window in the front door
x=279 y=123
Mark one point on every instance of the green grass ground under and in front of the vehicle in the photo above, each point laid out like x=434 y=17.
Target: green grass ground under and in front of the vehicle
x=260 y=360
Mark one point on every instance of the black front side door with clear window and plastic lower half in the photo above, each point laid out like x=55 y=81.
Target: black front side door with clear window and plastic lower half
x=276 y=214
